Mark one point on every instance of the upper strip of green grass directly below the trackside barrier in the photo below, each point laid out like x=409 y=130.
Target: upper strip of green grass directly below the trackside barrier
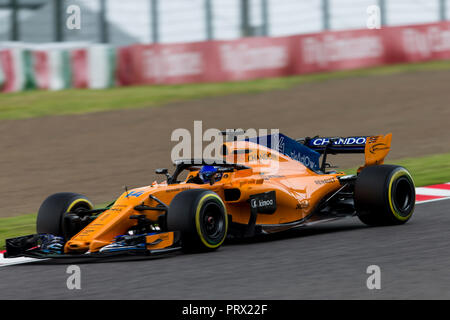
x=32 y=104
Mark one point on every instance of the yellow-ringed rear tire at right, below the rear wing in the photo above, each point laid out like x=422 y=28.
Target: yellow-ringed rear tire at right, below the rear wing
x=384 y=195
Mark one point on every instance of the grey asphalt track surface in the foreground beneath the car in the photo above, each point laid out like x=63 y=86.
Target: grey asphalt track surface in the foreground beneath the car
x=321 y=262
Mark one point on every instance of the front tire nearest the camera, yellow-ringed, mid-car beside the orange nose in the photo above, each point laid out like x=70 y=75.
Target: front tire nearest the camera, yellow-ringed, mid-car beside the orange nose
x=201 y=218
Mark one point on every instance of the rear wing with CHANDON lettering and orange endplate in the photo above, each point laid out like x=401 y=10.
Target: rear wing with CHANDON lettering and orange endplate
x=375 y=148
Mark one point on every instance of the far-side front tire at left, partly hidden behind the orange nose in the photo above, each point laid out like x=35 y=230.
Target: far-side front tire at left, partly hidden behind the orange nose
x=50 y=217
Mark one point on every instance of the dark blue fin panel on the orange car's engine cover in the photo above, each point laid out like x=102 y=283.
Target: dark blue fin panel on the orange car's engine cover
x=291 y=148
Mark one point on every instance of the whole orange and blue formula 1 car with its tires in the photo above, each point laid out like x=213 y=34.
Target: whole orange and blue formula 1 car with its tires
x=256 y=189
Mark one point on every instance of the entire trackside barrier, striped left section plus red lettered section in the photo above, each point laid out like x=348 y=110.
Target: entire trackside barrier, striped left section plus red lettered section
x=64 y=65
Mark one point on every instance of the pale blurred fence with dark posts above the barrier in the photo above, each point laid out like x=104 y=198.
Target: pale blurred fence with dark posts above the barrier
x=150 y=21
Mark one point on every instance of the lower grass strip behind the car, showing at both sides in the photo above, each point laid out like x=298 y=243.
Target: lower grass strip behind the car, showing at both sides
x=427 y=170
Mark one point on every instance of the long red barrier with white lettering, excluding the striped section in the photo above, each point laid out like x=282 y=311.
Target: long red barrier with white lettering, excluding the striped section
x=252 y=58
